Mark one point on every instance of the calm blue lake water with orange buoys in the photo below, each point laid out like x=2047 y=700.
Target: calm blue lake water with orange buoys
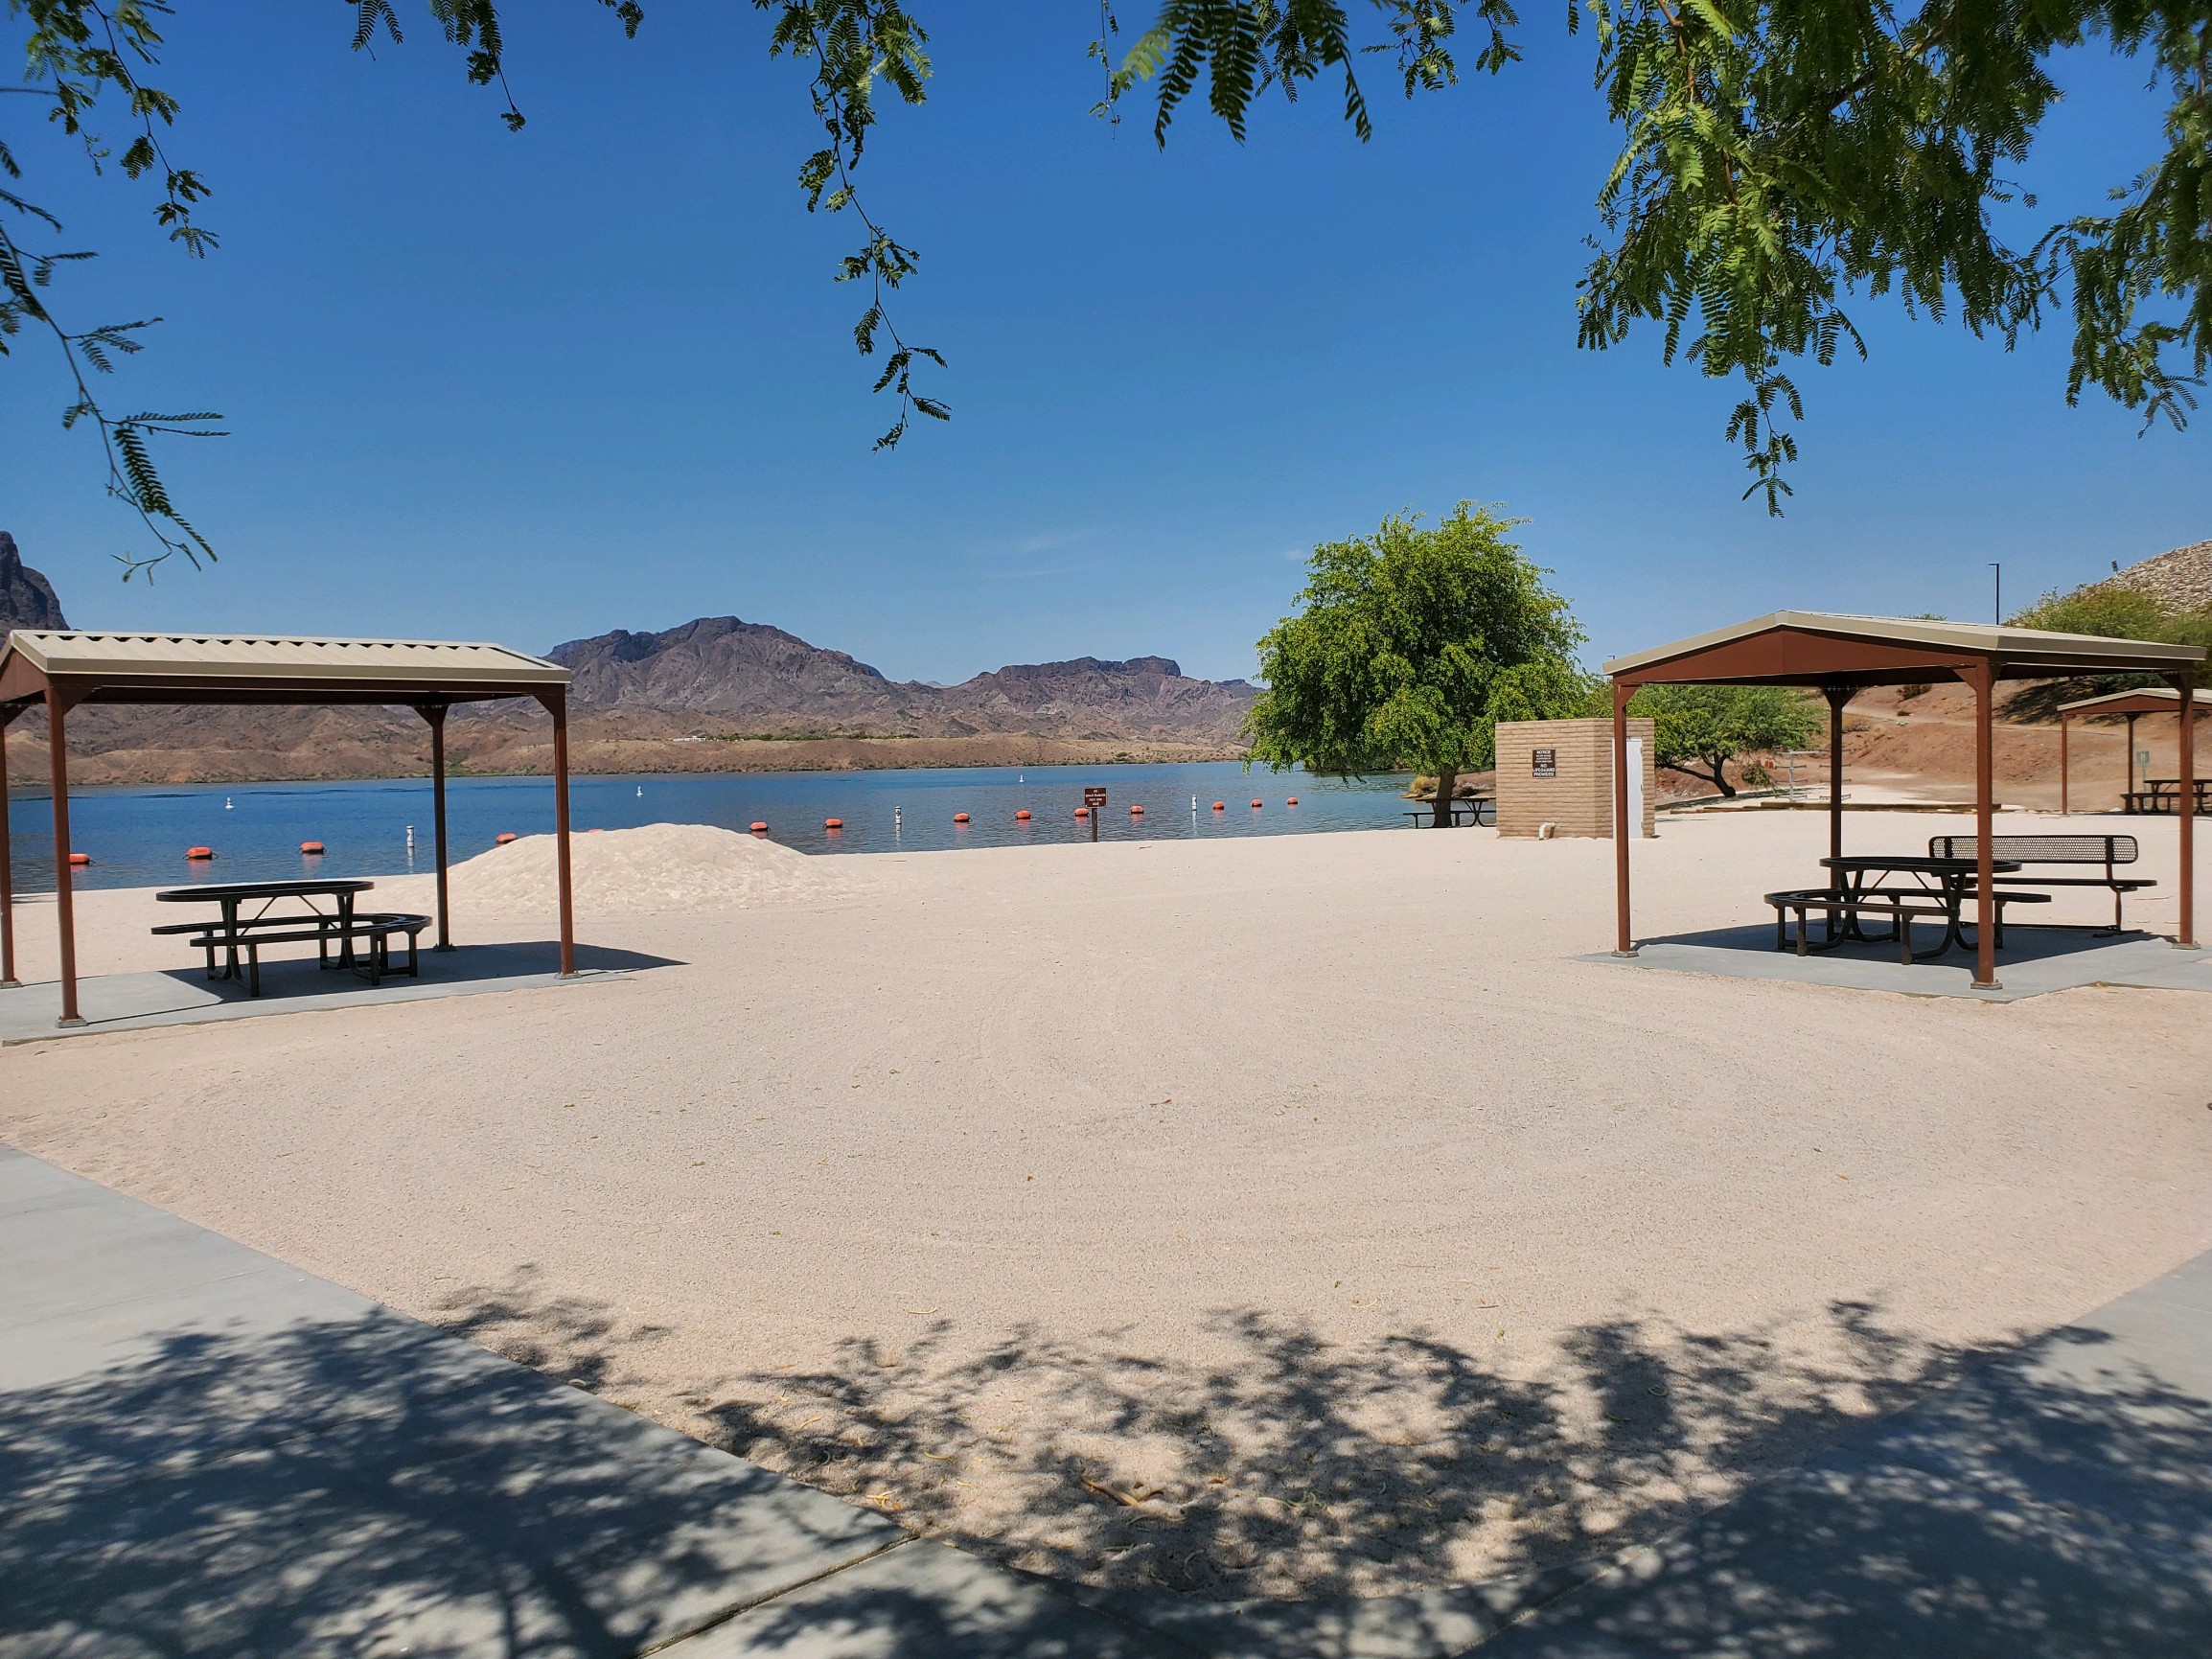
x=138 y=835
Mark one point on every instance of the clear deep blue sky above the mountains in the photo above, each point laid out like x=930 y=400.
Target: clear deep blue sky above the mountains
x=596 y=375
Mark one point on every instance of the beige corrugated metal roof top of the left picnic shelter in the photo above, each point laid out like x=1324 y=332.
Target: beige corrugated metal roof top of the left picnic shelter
x=220 y=656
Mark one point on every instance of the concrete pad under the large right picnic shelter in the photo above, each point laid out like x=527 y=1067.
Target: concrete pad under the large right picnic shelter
x=2032 y=963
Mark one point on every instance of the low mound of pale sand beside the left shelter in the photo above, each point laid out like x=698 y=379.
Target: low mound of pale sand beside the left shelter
x=656 y=870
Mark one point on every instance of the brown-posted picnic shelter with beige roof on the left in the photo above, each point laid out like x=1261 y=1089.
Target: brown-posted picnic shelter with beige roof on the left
x=63 y=671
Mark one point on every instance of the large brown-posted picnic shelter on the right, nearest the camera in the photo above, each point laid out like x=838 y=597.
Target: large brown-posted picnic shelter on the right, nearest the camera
x=1844 y=656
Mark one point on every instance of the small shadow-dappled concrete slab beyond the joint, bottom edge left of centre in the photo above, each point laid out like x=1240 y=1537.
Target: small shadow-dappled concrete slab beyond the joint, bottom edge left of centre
x=928 y=1603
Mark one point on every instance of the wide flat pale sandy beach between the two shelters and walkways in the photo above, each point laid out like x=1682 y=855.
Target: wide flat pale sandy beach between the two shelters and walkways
x=1258 y=1218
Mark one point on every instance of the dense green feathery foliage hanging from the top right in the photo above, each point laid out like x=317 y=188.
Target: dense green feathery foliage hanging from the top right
x=1780 y=156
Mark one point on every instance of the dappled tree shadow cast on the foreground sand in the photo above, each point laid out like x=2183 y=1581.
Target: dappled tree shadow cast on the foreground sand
x=1291 y=1465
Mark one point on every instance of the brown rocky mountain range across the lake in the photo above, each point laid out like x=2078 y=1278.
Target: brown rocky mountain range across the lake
x=713 y=696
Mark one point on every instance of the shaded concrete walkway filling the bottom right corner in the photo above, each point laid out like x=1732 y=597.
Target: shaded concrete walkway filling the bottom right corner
x=2054 y=1503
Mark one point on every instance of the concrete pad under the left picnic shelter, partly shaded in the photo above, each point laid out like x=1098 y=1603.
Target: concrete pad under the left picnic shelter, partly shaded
x=189 y=997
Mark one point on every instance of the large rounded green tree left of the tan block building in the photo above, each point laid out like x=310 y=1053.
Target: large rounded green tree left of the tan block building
x=1408 y=649
